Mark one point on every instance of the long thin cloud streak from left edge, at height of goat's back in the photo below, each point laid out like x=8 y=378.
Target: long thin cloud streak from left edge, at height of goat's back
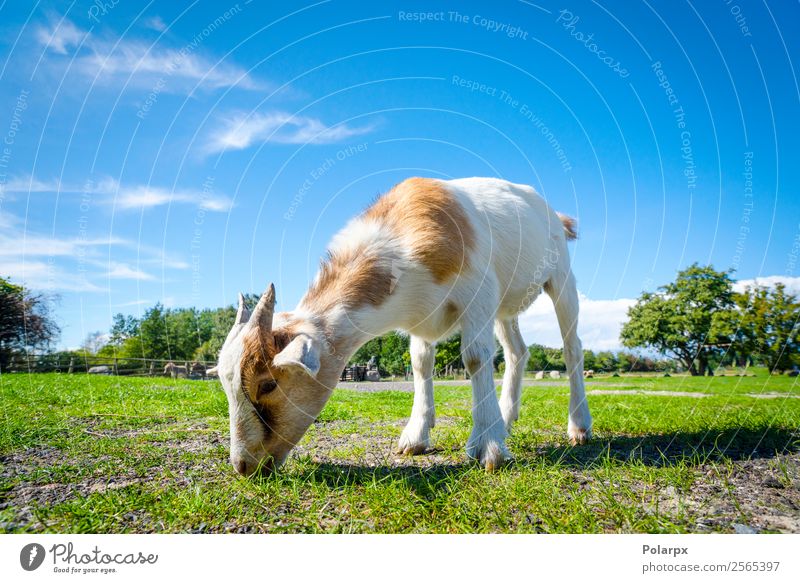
x=125 y=196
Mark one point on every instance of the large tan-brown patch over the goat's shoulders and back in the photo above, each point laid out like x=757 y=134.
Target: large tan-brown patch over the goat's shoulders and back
x=429 y=217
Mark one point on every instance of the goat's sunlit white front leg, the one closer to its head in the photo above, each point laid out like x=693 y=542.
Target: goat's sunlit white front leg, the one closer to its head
x=415 y=438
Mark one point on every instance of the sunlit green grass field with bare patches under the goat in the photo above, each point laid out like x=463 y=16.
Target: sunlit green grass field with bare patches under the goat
x=83 y=453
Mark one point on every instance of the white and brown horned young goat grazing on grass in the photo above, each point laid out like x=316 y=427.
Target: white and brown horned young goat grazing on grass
x=430 y=257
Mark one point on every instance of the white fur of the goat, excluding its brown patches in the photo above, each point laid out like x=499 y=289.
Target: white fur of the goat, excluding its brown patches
x=520 y=249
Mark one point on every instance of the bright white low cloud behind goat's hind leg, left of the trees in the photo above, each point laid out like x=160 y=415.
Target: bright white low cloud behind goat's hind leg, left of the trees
x=599 y=322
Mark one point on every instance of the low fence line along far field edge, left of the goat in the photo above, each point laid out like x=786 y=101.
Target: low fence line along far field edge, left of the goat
x=87 y=363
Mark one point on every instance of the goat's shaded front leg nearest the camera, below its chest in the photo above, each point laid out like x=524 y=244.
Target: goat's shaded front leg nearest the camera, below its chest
x=487 y=442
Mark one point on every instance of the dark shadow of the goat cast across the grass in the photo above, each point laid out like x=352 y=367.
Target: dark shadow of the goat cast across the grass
x=656 y=450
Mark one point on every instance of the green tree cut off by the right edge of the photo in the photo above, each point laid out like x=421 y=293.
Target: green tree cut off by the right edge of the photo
x=768 y=326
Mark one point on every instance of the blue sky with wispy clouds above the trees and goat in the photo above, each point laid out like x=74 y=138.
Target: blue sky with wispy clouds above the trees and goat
x=181 y=152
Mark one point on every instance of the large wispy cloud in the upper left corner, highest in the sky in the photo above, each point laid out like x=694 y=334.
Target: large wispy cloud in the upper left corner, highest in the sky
x=114 y=61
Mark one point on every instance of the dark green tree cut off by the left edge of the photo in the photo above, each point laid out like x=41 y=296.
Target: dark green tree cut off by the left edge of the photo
x=25 y=321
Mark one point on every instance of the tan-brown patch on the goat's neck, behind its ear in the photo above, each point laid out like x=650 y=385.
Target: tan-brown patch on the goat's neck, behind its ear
x=350 y=279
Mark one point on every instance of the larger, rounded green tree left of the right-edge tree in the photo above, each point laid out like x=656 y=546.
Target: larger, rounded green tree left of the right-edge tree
x=688 y=319
